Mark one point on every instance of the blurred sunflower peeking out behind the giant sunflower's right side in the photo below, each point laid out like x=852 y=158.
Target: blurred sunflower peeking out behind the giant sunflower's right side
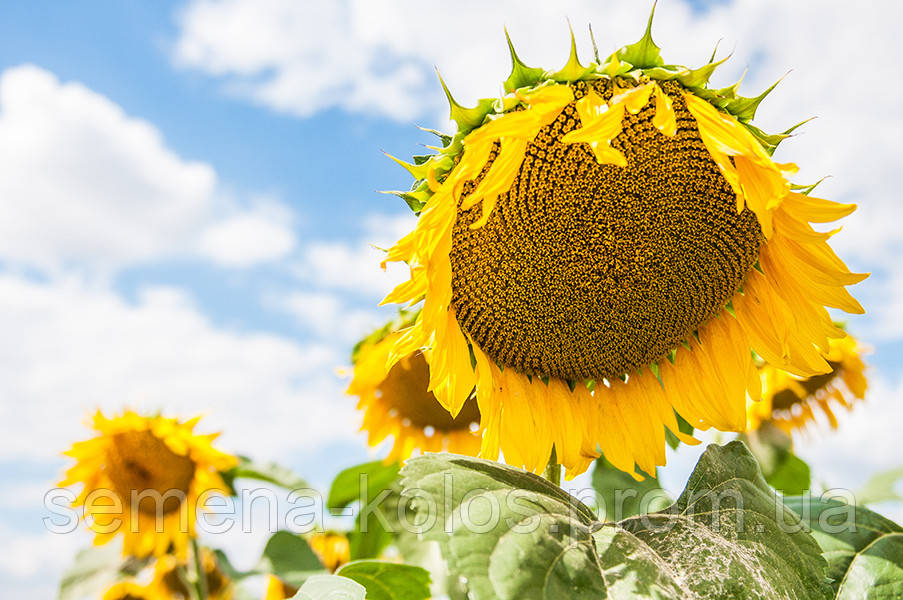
x=790 y=402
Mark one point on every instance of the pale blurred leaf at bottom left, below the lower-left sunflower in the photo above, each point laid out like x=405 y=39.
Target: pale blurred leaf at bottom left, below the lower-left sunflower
x=95 y=569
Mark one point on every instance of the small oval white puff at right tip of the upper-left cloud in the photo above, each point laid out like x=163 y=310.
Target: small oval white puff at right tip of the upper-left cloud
x=248 y=239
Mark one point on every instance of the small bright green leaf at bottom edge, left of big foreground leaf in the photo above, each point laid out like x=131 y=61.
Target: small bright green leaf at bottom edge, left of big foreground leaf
x=388 y=581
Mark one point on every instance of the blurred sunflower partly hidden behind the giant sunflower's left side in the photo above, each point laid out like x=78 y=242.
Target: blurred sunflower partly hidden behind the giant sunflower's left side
x=396 y=402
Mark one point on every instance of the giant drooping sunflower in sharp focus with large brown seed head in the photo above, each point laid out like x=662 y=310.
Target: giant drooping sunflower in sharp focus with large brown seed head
x=603 y=249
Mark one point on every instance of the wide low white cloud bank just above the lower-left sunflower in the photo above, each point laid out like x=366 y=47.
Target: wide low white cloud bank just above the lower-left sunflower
x=78 y=347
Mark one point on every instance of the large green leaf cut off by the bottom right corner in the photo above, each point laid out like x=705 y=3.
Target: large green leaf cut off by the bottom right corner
x=864 y=550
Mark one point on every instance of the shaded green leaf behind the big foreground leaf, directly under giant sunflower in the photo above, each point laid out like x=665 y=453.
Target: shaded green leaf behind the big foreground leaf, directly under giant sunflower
x=620 y=495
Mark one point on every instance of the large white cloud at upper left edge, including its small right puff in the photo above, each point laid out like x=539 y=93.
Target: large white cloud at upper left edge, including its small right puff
x=85 y=185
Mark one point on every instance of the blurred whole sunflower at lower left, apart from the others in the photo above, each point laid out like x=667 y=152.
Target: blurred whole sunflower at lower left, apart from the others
x=146 y=477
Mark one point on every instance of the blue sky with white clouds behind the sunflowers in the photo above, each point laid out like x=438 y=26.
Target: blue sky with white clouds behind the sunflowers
x=189 y=206
